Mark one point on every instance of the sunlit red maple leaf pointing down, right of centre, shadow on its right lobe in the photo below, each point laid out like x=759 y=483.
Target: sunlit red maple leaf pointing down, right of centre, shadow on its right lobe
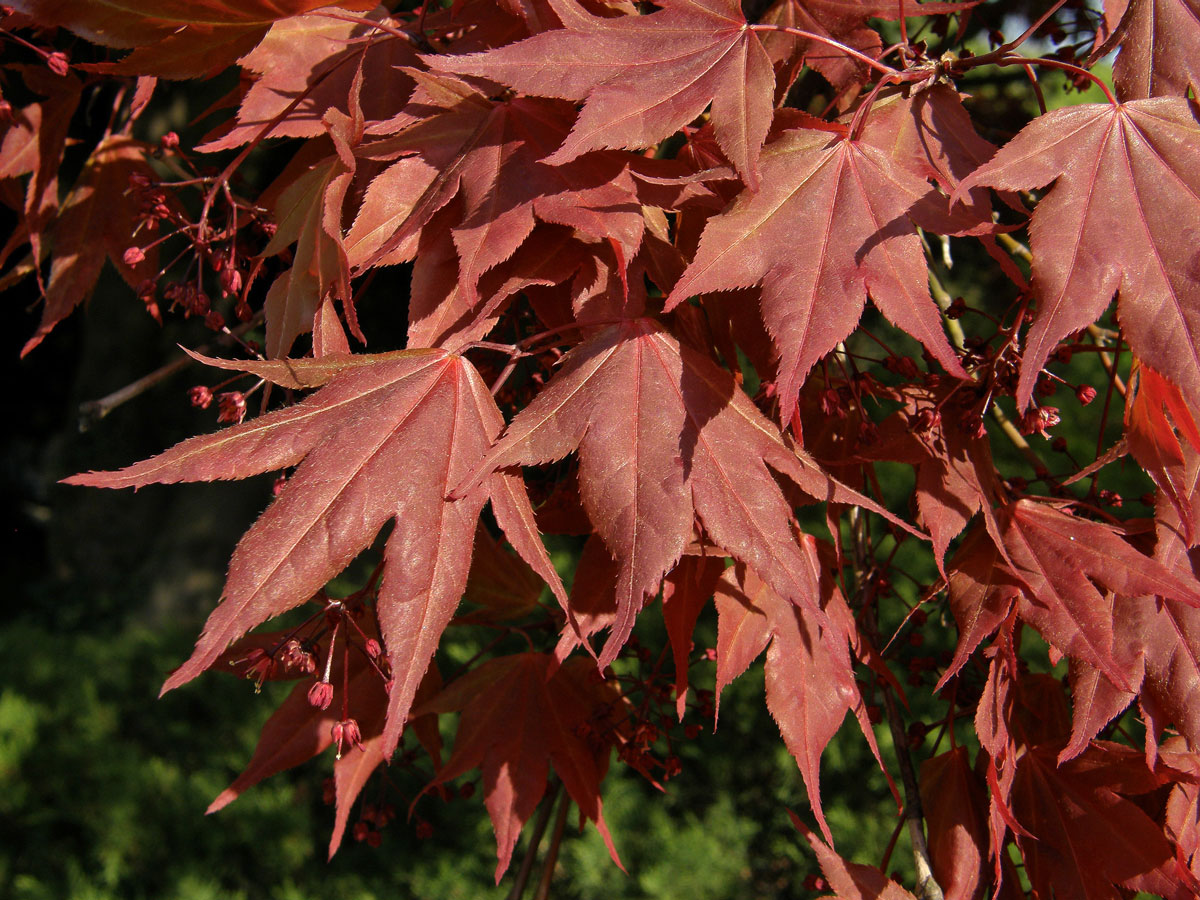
x=850 y=200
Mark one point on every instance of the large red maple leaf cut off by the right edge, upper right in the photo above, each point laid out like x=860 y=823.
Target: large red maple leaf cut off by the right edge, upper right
x=1124 y=217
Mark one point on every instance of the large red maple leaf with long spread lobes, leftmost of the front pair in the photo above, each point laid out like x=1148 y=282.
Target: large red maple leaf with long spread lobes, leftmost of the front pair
x=386 y=439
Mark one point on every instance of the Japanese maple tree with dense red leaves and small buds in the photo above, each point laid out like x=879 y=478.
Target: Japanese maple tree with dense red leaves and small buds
x=775 y=316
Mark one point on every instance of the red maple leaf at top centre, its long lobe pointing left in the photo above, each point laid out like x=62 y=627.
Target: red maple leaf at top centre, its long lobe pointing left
x=644 y=77
